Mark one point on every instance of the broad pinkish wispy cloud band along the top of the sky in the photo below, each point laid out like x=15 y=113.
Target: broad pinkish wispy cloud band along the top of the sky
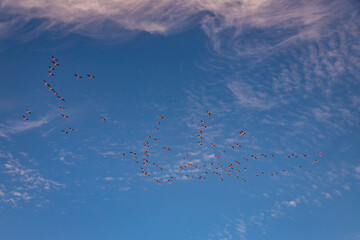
x=166 y=16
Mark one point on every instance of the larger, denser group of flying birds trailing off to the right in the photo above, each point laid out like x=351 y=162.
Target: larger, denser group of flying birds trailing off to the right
x=202 y=169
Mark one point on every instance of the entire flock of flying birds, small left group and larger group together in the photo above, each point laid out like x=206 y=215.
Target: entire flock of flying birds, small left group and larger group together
x=200 y=169
